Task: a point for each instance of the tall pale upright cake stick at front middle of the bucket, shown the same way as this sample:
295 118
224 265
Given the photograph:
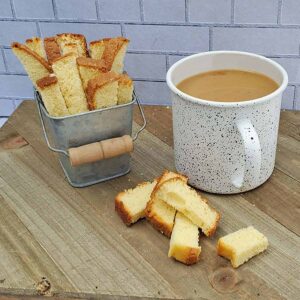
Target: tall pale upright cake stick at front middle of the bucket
66 71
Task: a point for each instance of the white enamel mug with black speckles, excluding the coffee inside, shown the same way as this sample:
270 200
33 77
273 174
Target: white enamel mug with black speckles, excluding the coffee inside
229 147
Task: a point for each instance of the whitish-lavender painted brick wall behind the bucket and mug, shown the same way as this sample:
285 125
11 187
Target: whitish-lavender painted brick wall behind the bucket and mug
161 32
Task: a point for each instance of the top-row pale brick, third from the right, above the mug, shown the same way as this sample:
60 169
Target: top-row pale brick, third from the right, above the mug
212 11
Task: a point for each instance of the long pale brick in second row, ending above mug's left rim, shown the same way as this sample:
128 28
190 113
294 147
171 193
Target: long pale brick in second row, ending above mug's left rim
167 38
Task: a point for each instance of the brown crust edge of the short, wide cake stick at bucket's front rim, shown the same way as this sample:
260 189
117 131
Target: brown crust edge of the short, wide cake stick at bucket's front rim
98 82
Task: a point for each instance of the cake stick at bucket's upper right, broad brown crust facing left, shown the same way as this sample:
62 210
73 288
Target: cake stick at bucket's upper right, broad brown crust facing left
114 53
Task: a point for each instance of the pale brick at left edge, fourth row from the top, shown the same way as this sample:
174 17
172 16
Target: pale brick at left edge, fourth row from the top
17 86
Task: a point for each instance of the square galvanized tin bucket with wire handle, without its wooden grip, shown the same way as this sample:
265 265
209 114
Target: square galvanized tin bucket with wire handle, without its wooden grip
63 133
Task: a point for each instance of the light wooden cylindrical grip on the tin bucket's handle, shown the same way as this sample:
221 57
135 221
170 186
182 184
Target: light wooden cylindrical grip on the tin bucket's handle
100 150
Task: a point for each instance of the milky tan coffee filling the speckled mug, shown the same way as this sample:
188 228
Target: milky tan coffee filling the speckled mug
228 85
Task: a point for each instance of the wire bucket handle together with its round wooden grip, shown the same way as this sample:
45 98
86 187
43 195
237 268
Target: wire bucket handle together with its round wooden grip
99 150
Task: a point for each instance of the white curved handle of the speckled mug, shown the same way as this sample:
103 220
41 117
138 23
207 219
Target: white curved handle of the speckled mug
251 170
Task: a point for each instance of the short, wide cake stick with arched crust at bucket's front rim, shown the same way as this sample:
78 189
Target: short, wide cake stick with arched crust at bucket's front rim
102 91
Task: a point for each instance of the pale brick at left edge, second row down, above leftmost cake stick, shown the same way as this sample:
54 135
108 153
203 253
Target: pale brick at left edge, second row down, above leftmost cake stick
16 31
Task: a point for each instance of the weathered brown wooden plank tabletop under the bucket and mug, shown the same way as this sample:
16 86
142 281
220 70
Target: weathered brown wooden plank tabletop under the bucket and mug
61 241
